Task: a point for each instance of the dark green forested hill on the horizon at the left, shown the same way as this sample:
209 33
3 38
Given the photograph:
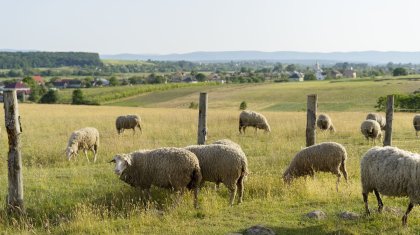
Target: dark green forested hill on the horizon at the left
18 60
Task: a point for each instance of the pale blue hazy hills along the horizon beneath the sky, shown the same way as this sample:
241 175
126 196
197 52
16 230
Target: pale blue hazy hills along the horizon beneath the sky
372 57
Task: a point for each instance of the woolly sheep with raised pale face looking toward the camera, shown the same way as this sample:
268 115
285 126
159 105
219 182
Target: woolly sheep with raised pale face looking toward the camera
171 168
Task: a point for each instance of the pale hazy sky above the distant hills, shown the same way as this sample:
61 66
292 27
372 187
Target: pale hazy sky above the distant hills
179 26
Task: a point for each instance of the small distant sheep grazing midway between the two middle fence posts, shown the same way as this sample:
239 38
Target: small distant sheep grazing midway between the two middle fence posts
254 119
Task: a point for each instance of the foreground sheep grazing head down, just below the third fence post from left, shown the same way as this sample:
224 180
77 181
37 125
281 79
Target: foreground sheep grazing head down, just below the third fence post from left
325 157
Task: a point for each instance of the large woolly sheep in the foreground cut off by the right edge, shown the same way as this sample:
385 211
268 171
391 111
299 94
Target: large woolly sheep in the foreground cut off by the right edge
392 172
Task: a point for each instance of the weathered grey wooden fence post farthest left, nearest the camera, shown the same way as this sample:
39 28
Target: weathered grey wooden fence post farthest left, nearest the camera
14 200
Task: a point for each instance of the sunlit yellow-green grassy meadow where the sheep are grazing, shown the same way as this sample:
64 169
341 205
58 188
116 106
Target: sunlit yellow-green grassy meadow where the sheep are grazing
78 197
